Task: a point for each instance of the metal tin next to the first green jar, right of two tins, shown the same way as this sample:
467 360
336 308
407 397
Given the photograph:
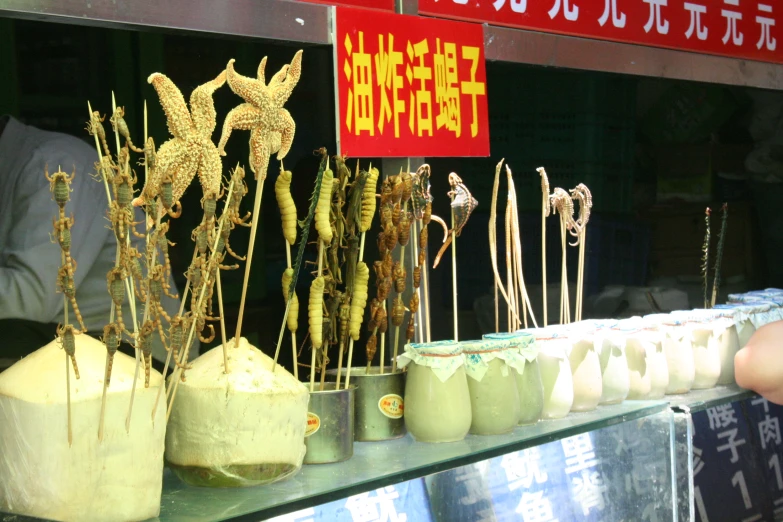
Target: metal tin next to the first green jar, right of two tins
378 404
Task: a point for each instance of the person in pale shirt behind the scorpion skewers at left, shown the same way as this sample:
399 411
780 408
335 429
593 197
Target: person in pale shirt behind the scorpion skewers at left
29 306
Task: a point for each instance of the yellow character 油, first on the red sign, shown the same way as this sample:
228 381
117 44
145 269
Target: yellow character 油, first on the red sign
358 71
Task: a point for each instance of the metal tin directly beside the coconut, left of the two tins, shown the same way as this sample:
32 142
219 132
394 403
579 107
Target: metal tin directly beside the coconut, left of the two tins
330 425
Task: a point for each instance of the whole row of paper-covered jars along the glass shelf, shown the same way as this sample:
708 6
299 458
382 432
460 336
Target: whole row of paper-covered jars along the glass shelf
490 386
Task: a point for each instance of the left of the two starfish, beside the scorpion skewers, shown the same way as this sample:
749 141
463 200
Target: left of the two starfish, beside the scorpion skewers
191 149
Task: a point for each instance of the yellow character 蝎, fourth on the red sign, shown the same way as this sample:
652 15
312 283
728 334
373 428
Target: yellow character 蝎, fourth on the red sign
447 88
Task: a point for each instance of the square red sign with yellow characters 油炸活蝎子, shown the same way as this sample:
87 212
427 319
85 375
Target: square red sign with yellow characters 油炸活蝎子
409 86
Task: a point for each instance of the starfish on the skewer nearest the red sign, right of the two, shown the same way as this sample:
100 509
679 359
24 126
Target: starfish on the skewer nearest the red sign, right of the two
271 126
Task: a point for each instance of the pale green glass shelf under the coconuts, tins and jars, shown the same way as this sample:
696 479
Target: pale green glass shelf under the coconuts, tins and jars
376 465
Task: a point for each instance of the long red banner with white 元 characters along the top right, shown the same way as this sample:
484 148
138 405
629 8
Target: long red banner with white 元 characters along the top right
747 29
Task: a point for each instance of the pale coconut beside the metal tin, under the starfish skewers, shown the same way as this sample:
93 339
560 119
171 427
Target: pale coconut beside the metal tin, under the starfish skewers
237 429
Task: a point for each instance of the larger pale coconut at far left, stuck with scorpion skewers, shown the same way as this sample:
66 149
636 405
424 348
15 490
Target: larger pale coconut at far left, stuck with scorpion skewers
118 479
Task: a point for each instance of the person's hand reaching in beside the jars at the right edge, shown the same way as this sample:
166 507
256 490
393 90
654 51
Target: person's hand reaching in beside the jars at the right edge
759 365
